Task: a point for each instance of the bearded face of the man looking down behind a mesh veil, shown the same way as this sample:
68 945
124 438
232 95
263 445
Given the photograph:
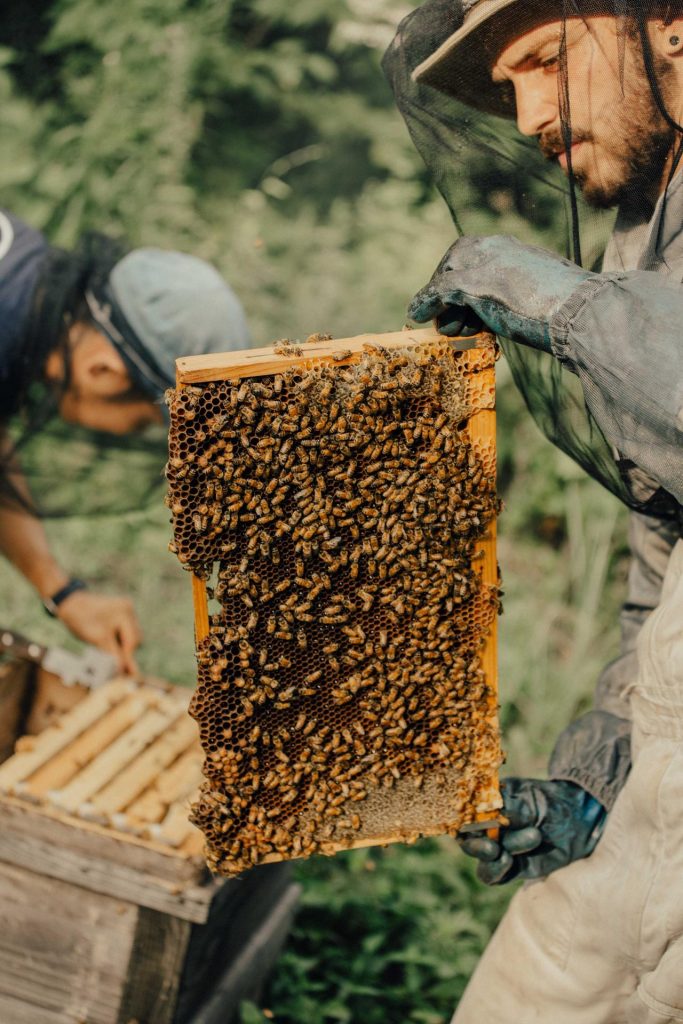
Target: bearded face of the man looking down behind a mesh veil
619 139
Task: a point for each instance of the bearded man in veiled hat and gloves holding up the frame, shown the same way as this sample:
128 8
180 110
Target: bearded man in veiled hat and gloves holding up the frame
579 107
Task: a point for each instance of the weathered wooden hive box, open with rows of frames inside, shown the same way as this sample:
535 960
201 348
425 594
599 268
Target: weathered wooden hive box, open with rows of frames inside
109 914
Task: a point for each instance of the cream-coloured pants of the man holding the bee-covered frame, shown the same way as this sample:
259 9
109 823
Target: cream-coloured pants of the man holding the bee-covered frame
602 941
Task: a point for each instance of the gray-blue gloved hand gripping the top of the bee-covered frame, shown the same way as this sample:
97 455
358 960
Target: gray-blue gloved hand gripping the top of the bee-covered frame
515 290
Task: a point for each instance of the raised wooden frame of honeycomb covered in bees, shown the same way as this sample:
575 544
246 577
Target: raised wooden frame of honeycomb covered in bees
336 504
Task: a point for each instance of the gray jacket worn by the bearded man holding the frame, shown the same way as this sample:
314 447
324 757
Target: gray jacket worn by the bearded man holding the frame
622 335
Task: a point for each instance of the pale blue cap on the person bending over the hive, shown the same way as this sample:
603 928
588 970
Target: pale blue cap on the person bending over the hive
159 306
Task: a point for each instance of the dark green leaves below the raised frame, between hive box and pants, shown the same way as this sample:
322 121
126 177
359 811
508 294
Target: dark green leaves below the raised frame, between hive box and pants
383 937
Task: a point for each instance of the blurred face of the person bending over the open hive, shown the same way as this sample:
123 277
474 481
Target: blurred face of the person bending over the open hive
99 392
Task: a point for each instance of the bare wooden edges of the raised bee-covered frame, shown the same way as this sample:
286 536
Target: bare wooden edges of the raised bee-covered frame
194 371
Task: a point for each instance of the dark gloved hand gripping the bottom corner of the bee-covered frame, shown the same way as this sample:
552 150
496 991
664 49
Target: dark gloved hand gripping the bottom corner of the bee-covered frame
552 824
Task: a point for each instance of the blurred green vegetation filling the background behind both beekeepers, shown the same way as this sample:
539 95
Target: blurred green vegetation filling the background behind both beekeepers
262 136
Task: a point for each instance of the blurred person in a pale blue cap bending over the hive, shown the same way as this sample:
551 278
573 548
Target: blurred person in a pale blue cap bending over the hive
93 336
